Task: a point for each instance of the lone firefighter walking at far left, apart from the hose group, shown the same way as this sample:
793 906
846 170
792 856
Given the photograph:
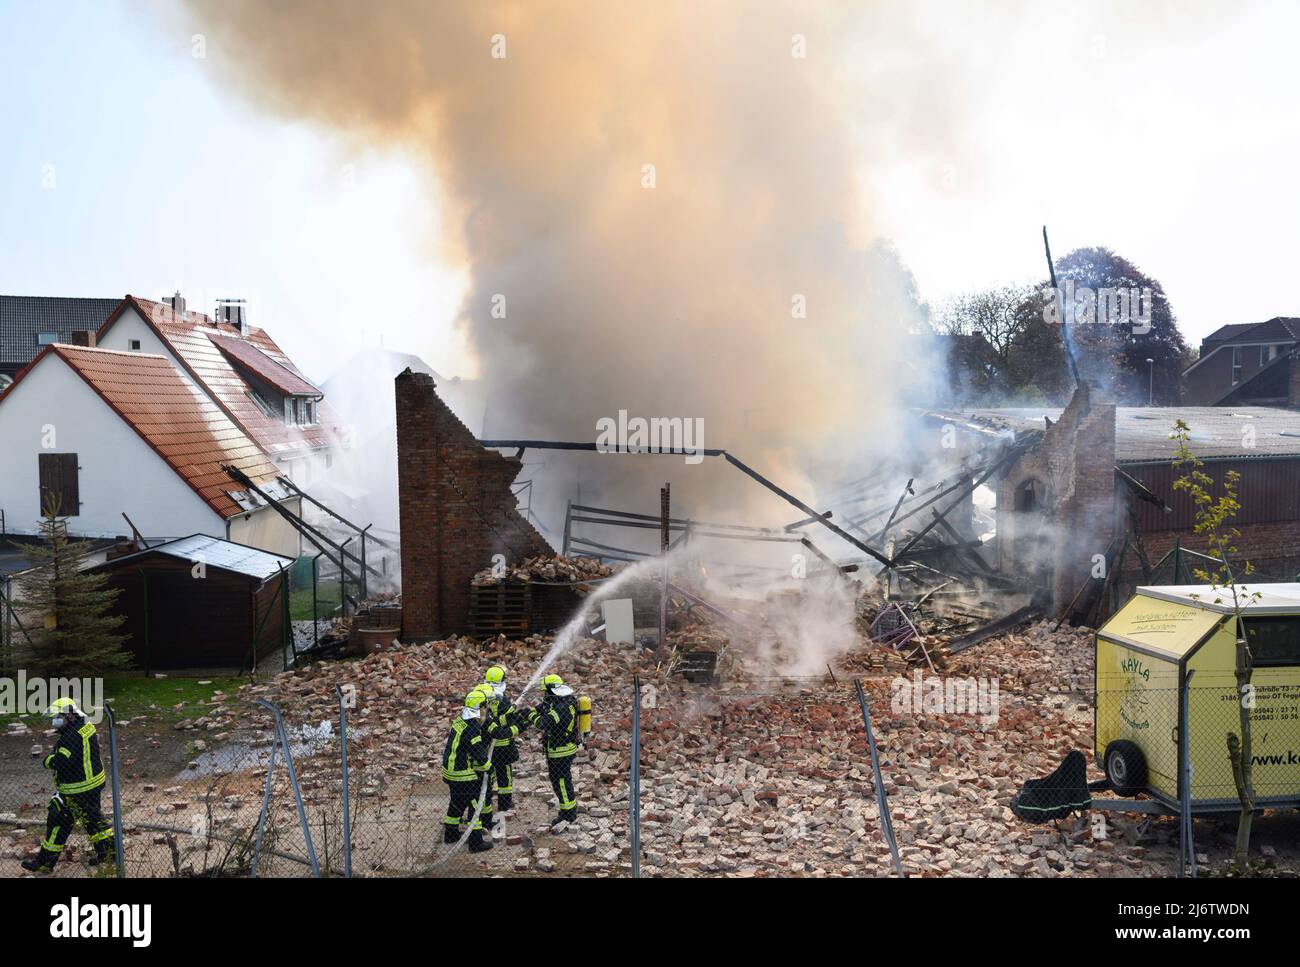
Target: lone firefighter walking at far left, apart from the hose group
79 782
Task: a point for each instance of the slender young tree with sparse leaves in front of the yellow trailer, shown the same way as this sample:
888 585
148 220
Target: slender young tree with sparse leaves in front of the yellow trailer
1214 524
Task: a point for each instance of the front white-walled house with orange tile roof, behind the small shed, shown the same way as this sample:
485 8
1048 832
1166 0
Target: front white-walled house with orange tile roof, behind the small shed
110 433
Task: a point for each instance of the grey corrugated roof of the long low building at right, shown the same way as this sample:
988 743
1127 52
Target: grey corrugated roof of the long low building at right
1142 433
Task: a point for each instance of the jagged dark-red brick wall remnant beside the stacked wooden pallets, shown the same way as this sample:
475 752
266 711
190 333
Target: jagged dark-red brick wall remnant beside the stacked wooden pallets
456 510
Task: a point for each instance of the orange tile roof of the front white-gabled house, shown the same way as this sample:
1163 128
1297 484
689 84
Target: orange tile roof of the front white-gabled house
176 419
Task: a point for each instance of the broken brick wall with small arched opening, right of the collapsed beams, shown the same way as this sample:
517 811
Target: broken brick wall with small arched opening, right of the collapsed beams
1076 463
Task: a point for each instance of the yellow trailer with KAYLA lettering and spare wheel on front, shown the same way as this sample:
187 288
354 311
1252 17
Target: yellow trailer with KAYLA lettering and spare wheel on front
1169 638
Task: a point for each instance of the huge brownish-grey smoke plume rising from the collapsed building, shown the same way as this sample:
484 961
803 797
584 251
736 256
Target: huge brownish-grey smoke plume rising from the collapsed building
743 288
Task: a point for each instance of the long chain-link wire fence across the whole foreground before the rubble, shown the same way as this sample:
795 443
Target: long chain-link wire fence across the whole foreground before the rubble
749 778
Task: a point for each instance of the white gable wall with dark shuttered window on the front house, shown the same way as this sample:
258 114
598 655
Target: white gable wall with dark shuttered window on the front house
118 470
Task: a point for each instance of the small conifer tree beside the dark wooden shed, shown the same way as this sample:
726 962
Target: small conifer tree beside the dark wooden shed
73 631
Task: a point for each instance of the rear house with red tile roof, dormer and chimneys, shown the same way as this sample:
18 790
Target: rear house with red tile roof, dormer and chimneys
241 370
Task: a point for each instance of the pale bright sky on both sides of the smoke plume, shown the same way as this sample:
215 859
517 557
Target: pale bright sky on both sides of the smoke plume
1172 141
